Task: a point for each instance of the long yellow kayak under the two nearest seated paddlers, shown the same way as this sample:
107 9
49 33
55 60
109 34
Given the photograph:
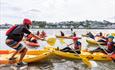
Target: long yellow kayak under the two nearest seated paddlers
95 56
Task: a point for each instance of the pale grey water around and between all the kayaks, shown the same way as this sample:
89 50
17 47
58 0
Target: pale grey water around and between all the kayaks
63 64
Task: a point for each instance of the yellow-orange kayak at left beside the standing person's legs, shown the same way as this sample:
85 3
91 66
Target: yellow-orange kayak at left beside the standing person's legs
31 56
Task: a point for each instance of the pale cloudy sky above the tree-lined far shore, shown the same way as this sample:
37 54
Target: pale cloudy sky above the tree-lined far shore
14 11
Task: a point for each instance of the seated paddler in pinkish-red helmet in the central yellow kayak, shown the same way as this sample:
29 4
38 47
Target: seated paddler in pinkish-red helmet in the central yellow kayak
77 46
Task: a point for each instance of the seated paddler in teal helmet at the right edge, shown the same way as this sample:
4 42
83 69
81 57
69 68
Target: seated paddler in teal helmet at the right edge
110 46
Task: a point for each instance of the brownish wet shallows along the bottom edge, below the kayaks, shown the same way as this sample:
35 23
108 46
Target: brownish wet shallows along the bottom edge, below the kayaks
63 64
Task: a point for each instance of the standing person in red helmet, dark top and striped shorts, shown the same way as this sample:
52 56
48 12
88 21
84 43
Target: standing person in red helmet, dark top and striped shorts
14 37
